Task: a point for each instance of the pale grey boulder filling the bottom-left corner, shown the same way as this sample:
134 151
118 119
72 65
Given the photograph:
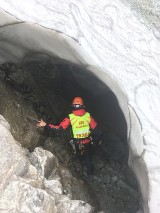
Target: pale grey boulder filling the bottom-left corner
21 197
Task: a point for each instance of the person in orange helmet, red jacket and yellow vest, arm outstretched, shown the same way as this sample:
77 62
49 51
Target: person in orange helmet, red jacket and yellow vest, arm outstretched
84 133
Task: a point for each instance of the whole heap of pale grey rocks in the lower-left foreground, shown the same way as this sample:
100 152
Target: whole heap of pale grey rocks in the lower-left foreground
21 183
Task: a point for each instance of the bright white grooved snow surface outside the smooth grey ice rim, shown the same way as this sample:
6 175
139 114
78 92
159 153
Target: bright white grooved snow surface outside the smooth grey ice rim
120 43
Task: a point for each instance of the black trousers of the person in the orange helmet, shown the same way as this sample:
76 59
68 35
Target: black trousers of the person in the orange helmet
85 155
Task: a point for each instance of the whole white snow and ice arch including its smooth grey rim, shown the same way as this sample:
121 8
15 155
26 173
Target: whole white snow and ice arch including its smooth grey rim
107 38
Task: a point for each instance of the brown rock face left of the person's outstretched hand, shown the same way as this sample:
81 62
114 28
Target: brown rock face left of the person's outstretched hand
16 112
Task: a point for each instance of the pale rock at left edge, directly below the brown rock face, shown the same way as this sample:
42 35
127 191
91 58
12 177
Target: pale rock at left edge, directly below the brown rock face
12 158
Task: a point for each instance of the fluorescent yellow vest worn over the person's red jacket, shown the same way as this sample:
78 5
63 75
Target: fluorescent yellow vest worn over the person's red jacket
80 125
